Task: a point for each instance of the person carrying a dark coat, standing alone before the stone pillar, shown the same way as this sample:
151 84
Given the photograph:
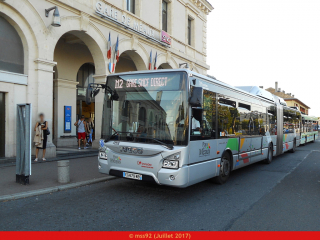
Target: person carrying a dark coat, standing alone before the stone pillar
41 136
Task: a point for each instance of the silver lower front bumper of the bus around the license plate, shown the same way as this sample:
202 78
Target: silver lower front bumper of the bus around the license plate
170 177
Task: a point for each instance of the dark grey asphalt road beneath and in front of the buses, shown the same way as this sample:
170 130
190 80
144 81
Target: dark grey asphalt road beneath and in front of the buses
281 196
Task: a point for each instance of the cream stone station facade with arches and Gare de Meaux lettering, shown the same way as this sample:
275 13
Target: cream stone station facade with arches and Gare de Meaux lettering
50 66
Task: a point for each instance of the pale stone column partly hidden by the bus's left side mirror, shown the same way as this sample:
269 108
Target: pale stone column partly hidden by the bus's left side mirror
98 110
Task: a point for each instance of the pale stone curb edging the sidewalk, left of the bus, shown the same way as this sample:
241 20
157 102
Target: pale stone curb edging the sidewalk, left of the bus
52 189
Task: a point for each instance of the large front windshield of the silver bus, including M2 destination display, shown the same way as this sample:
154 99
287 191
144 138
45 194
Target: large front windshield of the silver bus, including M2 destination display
149 108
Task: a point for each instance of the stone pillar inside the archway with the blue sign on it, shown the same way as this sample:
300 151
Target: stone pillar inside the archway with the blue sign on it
65 94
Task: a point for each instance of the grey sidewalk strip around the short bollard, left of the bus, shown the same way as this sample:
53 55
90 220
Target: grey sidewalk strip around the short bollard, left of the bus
44 178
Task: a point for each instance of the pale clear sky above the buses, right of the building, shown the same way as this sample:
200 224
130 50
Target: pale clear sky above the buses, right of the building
259 42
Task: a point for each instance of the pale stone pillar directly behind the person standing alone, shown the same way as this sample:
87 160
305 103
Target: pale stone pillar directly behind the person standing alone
44 71
